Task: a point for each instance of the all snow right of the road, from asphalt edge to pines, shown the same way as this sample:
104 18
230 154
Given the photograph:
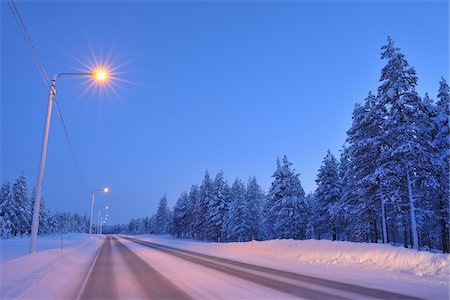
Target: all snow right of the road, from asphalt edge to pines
396 269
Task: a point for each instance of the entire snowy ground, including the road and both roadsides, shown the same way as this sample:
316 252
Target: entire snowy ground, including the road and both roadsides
148 266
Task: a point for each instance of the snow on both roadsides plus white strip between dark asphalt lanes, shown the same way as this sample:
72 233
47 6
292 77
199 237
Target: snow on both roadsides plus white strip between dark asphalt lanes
53 274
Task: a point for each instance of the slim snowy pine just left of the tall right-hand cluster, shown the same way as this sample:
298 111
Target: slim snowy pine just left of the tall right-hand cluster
328 193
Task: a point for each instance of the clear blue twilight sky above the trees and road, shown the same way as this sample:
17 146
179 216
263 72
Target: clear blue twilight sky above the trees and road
202 85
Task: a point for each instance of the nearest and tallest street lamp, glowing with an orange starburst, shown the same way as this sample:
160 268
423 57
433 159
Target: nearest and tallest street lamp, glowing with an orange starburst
99 75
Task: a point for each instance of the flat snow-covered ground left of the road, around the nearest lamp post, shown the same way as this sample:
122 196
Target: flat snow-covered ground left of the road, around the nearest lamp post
49 273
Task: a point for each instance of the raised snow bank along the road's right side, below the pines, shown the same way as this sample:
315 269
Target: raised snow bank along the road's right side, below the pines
348 254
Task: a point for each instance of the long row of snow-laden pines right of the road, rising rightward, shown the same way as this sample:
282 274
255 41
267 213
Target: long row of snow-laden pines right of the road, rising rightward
390 184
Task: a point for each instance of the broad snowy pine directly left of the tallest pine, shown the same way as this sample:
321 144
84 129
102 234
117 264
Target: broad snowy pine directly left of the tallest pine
362 196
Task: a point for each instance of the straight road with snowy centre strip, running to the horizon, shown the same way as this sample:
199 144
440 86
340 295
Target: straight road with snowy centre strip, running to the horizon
162 272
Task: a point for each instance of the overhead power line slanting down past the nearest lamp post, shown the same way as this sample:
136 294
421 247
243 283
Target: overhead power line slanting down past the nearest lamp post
45 78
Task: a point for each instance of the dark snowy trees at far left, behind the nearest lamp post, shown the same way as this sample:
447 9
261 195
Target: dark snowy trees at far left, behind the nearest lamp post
16 211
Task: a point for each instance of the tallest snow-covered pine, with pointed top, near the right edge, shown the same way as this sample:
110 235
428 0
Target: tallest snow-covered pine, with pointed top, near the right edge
407 133
